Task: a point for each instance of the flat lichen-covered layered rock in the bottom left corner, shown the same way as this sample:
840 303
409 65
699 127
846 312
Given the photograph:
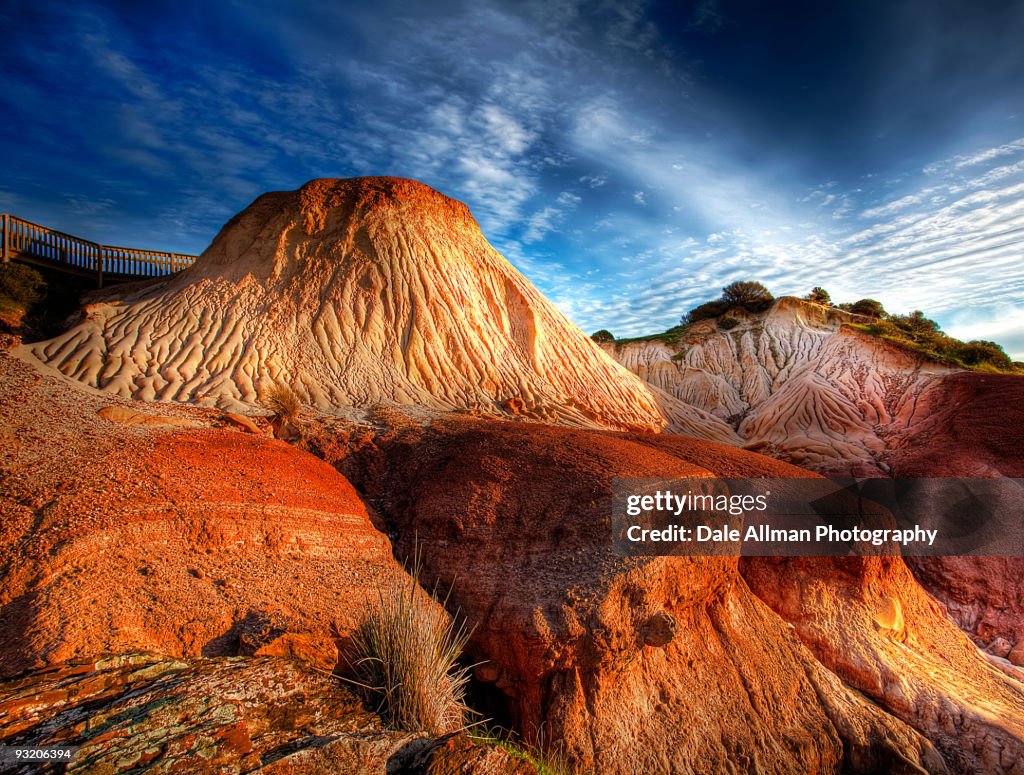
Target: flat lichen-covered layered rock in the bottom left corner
137 712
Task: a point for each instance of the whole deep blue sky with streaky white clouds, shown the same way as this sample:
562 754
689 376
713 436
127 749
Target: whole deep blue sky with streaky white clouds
630 158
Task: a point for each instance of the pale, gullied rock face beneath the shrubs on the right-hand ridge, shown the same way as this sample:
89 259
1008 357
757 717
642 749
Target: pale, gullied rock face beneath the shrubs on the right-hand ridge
795 382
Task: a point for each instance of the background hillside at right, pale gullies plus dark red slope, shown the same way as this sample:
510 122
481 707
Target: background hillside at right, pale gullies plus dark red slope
803 389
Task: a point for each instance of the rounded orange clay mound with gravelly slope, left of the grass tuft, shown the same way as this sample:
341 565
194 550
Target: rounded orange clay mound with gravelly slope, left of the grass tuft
184 542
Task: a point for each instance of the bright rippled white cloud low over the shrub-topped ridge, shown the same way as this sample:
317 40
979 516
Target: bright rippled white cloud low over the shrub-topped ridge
953 249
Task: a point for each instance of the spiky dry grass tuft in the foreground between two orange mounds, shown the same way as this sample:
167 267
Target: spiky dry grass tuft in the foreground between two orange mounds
405 656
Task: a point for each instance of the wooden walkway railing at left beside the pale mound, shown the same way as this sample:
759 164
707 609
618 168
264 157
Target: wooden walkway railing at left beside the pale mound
31 243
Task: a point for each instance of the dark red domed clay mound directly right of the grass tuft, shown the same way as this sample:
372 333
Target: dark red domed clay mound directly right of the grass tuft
626 666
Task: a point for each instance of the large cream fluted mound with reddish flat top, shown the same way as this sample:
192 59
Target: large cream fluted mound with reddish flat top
357 293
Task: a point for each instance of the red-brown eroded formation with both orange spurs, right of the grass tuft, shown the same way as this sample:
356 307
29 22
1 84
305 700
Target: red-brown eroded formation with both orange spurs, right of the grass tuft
672 664
